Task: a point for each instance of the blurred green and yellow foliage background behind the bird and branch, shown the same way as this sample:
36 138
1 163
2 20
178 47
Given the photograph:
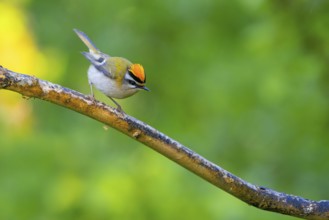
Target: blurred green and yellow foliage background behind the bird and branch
243 82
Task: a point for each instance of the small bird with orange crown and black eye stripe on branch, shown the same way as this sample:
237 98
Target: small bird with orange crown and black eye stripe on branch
116 77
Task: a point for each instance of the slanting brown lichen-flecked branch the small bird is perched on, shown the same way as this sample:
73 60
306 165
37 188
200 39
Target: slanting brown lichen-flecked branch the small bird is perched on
260 197
